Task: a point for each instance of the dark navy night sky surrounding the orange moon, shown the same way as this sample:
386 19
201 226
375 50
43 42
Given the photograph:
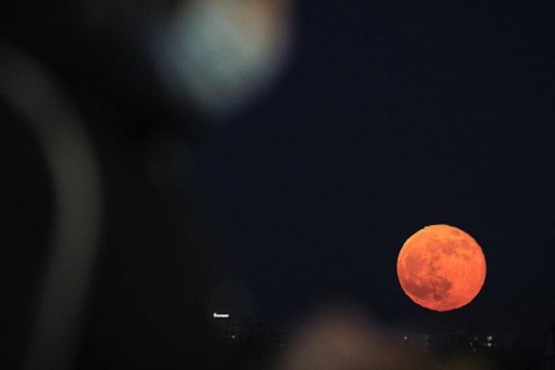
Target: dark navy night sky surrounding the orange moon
393 115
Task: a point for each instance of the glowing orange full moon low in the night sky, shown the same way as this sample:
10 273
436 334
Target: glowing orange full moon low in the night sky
441 268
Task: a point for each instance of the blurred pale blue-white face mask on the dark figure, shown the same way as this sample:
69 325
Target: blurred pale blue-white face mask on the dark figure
221 53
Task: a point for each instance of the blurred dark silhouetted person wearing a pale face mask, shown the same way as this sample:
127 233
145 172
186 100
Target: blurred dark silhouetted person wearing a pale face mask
102 264
